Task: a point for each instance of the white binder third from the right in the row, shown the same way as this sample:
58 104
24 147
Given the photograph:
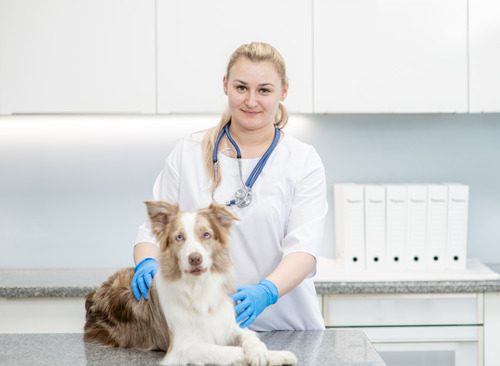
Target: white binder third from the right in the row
417 227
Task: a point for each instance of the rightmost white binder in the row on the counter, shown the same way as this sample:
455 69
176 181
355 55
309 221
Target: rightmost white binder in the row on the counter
458 203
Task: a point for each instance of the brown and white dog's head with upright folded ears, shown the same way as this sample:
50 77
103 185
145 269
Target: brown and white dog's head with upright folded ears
191 243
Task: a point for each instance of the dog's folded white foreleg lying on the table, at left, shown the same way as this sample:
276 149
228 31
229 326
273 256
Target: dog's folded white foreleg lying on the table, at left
205 353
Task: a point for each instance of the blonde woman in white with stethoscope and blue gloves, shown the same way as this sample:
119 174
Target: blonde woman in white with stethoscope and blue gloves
280 196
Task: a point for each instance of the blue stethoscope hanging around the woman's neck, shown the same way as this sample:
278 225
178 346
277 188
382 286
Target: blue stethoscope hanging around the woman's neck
243 196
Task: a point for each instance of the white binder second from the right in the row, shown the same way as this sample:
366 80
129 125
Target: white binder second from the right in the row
437 226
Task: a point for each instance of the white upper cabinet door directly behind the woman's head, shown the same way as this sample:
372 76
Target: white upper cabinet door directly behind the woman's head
196 39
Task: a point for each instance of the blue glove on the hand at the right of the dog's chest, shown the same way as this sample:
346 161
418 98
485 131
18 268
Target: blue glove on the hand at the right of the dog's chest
252 300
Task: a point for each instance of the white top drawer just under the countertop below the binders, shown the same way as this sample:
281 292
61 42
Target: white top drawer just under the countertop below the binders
402 309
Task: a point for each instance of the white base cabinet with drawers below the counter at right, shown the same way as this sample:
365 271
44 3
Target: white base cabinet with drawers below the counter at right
415 329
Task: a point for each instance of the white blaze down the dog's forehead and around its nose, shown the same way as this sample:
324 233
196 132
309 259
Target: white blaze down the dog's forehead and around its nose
192 243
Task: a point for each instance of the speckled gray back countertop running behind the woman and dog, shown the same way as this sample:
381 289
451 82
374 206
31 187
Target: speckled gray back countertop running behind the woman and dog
22 283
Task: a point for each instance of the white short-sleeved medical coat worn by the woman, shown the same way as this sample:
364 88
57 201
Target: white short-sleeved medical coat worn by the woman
286 215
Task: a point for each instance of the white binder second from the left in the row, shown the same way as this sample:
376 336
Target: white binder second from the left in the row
375 227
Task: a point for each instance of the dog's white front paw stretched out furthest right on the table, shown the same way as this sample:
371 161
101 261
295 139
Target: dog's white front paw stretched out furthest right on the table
257 354
